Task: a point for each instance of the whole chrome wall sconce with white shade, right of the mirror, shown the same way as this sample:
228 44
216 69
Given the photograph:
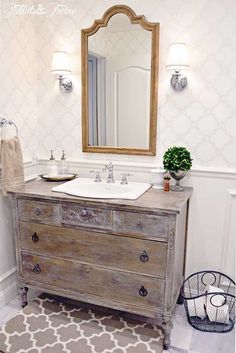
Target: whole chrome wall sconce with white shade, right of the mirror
178 60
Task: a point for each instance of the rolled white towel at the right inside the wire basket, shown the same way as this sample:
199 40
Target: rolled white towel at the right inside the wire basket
216 310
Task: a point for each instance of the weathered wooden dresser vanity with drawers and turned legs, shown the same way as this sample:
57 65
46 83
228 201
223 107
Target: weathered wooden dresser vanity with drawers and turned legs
127 255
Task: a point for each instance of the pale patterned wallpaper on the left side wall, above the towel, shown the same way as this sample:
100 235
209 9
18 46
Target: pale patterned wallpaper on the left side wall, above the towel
18 72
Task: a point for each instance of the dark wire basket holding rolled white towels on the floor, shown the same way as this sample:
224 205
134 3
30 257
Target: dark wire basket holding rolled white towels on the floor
209 301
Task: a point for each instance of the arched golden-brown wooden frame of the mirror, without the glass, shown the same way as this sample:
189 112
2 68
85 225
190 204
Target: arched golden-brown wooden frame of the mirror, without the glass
85 34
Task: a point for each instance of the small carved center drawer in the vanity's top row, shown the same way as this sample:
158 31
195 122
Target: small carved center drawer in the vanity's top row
83 215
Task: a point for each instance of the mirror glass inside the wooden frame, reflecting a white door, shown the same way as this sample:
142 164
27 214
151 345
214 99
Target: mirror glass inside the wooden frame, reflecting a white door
119 66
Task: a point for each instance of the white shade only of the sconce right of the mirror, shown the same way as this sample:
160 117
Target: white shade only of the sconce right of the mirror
177 57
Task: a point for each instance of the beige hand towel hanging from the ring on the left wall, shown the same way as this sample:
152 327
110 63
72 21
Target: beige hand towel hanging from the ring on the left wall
12 164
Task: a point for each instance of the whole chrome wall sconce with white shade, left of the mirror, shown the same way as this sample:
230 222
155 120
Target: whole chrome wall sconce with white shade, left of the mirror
60 67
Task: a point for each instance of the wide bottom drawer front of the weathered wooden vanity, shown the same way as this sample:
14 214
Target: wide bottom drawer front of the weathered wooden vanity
129 288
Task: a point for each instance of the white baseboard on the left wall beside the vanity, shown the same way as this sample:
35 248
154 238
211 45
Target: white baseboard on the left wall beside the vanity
8 287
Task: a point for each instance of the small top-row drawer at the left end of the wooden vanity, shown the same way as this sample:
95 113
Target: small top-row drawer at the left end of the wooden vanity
41 211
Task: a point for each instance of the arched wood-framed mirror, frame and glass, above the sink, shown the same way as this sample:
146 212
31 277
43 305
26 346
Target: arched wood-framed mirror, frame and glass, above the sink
120 57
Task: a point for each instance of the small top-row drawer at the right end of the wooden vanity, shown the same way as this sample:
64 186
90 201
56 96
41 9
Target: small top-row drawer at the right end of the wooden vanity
138 223
